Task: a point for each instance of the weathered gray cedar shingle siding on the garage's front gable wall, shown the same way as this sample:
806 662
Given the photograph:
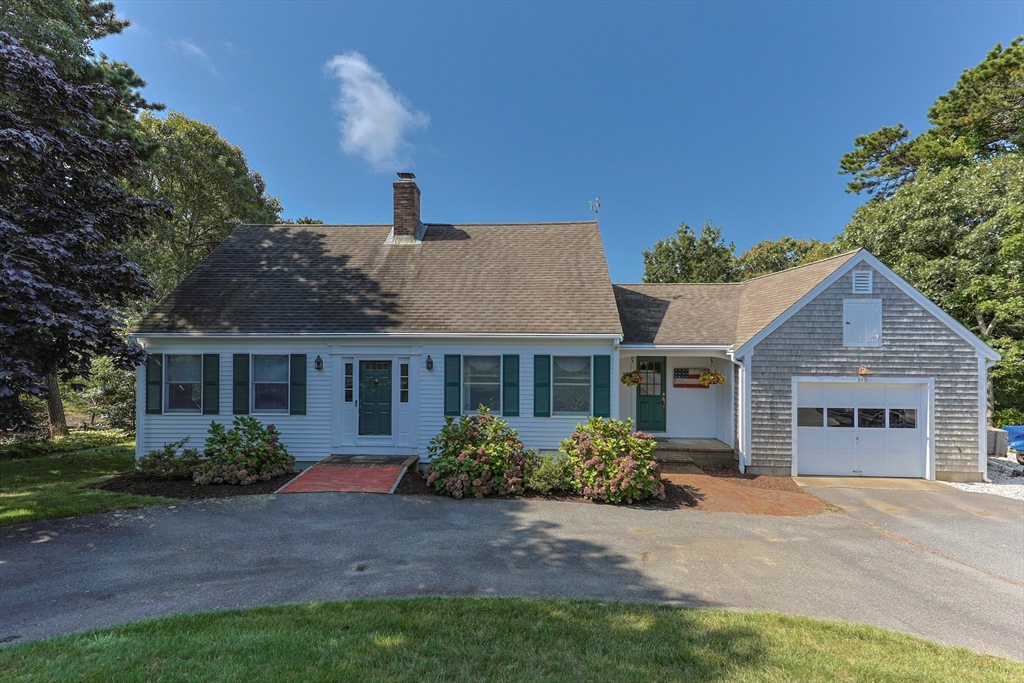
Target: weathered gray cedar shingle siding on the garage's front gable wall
915 345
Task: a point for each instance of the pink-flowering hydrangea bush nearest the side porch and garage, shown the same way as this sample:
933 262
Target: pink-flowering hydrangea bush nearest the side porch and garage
613 464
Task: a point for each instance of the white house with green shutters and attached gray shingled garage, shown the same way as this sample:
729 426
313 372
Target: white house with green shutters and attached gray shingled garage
361 339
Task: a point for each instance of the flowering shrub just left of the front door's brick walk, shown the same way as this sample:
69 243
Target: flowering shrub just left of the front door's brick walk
246 454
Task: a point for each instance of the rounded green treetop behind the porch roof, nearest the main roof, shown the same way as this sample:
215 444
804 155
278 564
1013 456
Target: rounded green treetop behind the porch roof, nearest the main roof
687 258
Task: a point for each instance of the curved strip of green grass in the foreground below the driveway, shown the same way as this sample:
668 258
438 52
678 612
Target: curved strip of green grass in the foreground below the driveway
507 639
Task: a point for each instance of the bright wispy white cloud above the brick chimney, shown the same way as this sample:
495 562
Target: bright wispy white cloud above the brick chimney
375 118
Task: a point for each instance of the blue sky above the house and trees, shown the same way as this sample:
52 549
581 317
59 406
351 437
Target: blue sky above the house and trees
525 112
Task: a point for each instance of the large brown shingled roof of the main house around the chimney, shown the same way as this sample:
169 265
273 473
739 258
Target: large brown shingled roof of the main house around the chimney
509 279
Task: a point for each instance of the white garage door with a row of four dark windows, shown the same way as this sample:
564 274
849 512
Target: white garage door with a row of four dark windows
862 430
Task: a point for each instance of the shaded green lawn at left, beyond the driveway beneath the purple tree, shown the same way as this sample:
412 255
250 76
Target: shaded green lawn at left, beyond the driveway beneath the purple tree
52 487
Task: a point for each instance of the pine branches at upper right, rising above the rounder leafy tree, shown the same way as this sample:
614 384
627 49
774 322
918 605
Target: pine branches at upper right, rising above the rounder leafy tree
983 117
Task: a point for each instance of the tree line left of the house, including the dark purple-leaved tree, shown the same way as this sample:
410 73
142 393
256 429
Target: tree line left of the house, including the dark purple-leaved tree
105 206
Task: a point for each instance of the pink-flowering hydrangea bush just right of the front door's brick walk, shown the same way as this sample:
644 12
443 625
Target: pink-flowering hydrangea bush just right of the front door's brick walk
477 456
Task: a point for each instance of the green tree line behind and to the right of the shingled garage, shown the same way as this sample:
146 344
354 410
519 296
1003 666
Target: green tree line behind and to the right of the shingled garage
946 211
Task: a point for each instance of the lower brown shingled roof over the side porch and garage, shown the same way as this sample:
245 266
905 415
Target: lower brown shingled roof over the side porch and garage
715 315
